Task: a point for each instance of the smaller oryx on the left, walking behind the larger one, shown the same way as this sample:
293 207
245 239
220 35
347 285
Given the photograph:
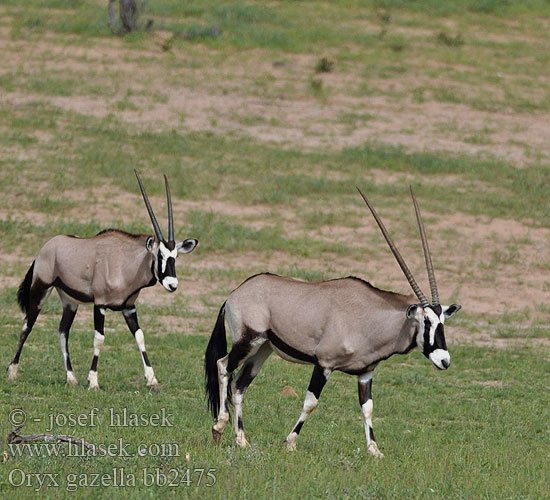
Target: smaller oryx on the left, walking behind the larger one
108 270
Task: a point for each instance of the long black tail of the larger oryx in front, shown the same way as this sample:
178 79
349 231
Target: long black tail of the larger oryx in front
217 349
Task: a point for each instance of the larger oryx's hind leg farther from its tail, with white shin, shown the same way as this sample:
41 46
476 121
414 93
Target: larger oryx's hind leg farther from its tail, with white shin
244 378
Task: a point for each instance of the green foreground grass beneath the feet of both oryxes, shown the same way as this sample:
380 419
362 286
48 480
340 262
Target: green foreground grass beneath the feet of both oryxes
498 425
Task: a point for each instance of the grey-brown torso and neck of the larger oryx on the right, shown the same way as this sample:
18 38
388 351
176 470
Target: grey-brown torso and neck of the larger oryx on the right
344 324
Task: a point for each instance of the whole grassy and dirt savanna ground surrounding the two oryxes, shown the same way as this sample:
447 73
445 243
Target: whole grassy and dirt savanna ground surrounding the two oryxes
263 142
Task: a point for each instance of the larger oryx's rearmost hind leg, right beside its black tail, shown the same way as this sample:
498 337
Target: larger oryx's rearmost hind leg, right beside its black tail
241 350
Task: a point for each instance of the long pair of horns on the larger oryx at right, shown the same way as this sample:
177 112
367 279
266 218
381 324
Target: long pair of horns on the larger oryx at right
401 261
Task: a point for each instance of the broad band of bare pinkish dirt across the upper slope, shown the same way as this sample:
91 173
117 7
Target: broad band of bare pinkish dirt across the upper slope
267 99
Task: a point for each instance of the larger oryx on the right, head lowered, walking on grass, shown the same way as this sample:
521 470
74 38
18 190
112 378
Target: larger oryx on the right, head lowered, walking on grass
343 324
